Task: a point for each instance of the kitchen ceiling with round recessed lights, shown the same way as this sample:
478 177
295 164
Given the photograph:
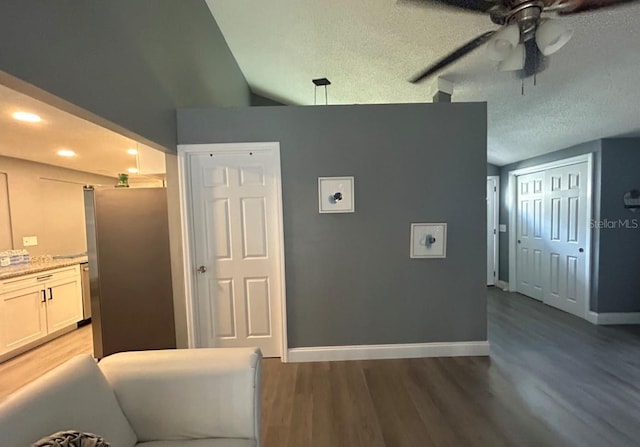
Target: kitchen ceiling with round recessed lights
99 150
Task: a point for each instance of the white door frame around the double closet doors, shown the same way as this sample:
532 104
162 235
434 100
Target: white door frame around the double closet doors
512 194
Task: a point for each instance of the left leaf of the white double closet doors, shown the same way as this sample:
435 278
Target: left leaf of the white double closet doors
530 240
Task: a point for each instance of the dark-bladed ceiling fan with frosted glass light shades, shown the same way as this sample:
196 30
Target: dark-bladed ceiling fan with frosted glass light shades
529 32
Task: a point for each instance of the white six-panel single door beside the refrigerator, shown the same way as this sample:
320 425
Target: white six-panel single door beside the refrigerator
237 228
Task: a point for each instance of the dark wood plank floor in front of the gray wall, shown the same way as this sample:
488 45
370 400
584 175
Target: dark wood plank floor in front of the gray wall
551 380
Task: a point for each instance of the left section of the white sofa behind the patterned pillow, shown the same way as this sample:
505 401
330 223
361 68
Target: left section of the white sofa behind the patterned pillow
74 396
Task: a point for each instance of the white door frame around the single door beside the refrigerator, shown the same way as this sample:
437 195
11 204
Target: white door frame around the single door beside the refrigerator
185 152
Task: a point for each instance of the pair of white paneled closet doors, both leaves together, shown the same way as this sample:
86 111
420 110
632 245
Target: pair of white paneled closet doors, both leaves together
552 237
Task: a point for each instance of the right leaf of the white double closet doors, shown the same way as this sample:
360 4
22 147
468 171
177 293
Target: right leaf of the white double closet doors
566 230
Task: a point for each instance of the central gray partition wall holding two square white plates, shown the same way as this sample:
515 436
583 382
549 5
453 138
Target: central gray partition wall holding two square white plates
349 276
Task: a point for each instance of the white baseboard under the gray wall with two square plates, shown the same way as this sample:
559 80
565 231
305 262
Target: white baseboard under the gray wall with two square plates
393 351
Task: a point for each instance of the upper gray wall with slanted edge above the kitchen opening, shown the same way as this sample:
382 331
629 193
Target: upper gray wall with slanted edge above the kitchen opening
130 62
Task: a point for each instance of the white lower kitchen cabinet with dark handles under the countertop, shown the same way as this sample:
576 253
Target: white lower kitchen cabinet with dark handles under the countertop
37 307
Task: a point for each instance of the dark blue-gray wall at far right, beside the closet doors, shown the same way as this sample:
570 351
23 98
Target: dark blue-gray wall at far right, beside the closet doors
619 263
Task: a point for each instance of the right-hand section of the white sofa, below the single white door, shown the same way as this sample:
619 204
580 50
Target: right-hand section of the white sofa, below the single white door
188 393
